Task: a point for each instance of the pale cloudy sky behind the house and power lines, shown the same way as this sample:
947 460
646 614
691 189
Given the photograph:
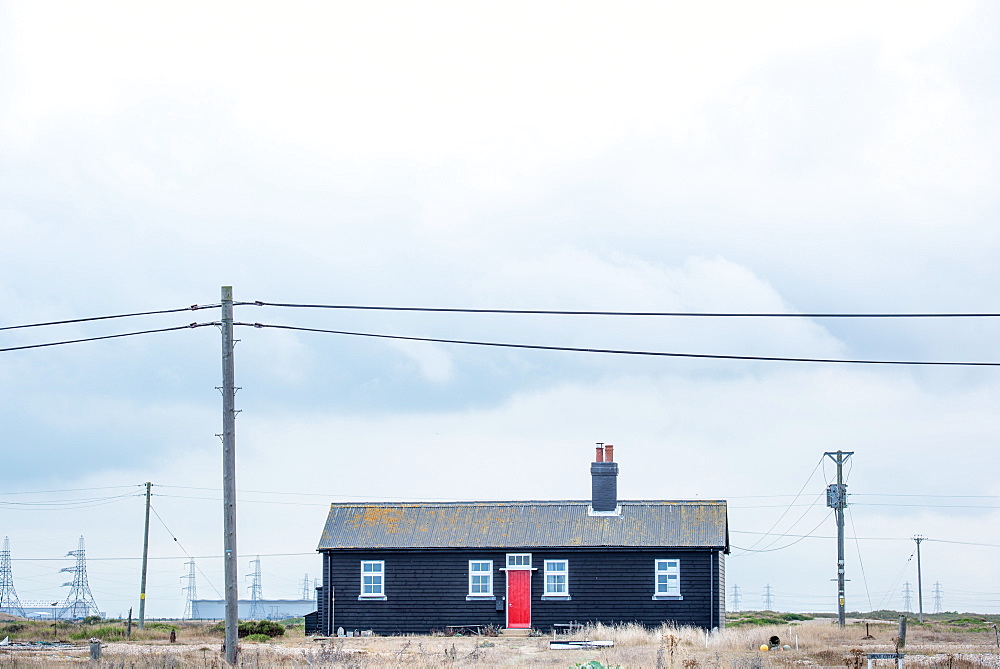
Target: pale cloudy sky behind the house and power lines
653 156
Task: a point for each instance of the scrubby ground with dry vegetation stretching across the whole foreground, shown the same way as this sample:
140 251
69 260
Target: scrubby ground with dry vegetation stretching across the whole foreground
946 641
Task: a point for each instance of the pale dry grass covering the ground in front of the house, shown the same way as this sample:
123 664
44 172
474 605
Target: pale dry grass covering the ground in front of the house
820 643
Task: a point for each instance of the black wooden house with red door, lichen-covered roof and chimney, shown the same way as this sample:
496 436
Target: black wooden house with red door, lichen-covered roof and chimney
397 567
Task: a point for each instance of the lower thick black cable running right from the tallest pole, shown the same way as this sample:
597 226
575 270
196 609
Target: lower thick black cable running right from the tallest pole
539 347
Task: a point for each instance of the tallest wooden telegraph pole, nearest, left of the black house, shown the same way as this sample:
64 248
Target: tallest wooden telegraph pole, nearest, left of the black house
229 475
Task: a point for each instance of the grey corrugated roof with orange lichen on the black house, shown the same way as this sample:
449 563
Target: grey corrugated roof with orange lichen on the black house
683 524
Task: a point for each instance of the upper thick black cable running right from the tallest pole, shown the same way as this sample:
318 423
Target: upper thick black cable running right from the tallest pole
563 312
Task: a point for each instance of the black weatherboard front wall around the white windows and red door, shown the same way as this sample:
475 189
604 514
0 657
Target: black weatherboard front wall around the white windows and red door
427 589
